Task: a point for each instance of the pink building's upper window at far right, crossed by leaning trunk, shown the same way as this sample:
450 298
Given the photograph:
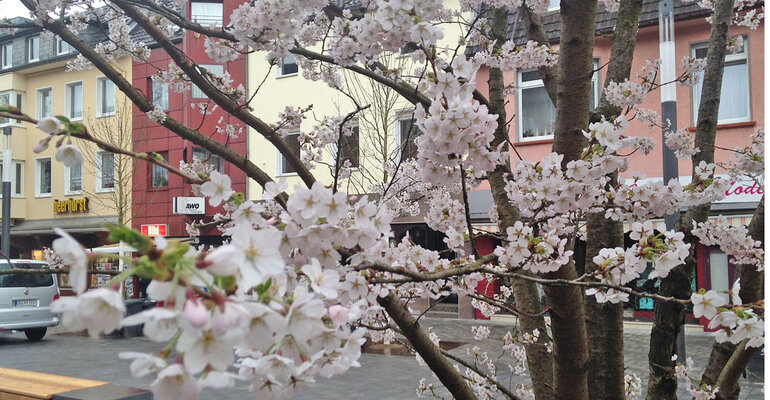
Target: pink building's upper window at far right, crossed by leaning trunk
735 102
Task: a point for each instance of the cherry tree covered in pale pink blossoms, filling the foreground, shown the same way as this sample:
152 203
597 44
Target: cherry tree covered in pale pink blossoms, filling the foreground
304 264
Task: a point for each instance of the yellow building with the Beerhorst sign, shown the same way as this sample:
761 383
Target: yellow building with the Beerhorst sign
45 193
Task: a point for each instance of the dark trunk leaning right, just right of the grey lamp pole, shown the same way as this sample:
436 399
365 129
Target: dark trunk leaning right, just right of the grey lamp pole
669 316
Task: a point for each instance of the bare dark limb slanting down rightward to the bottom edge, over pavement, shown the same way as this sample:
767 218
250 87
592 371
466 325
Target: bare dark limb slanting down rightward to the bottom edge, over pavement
450 377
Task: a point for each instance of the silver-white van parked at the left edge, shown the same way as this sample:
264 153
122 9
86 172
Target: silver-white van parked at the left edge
25 299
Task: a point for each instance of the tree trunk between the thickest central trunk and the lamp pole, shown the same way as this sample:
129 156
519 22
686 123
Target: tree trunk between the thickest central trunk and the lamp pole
604 322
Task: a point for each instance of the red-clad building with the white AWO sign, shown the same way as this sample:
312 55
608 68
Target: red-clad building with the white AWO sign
155 191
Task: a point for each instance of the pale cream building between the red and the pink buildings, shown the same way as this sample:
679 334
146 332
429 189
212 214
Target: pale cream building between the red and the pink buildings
382 130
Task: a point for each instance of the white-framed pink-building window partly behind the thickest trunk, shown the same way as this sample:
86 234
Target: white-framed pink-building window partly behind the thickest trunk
536 113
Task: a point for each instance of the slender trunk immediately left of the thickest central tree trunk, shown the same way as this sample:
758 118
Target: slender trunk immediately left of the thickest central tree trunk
539 360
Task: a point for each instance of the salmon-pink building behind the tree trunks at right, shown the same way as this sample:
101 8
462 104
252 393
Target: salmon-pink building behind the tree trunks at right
741 112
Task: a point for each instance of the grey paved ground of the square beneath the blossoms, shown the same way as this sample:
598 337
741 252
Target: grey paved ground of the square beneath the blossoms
379 377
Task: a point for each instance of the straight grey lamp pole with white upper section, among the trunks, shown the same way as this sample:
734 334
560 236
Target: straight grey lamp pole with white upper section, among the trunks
668 116
